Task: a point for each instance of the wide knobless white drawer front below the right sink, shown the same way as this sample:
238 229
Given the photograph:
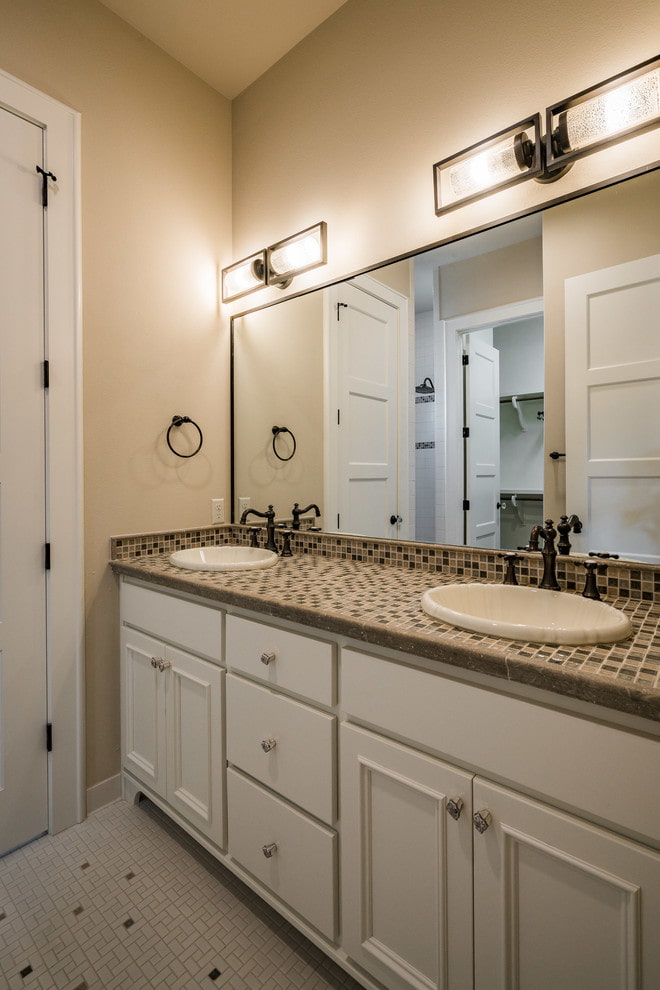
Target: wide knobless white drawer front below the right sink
581 763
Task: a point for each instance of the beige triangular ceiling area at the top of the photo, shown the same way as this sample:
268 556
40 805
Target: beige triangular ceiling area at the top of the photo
227 43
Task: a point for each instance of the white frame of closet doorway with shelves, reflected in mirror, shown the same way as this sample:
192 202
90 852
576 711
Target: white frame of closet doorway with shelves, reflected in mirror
454 329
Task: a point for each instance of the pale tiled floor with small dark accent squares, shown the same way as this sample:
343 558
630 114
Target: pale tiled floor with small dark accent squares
126 900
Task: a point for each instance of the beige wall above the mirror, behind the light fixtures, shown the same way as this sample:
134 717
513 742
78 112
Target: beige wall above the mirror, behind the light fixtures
347 127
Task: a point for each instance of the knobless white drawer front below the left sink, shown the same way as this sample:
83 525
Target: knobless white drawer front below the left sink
197 628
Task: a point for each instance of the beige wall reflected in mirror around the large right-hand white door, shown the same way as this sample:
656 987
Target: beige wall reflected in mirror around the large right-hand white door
607 228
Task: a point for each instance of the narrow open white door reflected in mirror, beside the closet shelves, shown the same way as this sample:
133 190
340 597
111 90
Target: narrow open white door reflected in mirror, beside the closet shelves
482 445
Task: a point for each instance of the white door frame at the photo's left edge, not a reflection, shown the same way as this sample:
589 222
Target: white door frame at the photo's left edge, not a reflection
64 477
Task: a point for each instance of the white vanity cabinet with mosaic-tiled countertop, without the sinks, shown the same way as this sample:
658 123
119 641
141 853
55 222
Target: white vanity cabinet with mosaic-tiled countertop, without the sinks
433 808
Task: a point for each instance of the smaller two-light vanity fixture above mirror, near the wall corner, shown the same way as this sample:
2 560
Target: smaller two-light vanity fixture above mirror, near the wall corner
277 264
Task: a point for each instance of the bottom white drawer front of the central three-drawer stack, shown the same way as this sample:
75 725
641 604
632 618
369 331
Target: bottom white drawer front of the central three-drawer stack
301 868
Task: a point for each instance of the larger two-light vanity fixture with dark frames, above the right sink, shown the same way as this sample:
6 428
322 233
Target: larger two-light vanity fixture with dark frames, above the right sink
623 105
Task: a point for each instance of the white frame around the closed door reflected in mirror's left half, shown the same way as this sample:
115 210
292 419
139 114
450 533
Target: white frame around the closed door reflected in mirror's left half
398 302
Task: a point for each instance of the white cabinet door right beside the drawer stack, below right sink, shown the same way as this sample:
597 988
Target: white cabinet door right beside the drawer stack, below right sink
406 864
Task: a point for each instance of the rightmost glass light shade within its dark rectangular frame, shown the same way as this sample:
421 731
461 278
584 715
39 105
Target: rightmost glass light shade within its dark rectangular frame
608 113
